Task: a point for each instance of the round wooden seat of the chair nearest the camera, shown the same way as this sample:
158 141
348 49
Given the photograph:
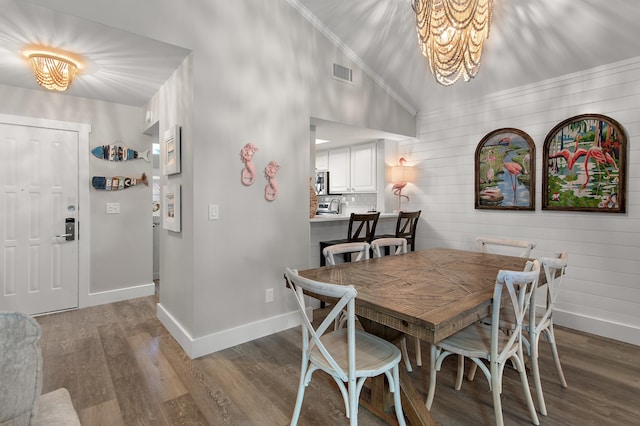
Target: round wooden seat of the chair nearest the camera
373 354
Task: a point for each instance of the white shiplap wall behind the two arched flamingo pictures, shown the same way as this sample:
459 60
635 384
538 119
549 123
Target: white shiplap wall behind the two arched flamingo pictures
601 292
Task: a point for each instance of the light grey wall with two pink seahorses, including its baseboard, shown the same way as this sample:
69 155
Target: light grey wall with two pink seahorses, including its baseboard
259 72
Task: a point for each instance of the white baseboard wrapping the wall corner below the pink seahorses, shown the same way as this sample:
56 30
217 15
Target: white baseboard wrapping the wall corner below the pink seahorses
215 342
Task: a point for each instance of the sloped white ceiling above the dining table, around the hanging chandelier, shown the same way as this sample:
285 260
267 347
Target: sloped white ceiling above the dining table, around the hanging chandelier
529 41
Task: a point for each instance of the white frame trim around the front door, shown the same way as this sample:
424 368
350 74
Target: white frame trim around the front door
83 130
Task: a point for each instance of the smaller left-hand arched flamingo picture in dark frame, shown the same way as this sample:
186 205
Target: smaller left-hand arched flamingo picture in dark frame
505 171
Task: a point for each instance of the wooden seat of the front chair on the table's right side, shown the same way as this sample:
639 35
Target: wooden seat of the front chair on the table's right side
473 341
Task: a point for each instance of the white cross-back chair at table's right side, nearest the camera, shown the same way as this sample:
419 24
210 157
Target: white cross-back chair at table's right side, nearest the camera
487 343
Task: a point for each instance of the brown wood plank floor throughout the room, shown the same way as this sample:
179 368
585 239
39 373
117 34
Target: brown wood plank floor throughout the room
122 367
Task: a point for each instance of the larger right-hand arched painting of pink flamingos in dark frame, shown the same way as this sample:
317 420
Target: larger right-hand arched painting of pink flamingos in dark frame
584 163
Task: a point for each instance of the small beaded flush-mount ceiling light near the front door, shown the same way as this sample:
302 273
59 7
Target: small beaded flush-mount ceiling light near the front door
53 69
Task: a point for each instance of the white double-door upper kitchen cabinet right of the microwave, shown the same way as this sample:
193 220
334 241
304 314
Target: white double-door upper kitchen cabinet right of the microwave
353 169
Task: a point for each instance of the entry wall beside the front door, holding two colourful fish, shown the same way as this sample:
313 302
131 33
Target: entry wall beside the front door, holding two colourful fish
120 247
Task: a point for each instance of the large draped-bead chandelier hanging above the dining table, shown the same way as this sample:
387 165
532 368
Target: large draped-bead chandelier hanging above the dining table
451 34
